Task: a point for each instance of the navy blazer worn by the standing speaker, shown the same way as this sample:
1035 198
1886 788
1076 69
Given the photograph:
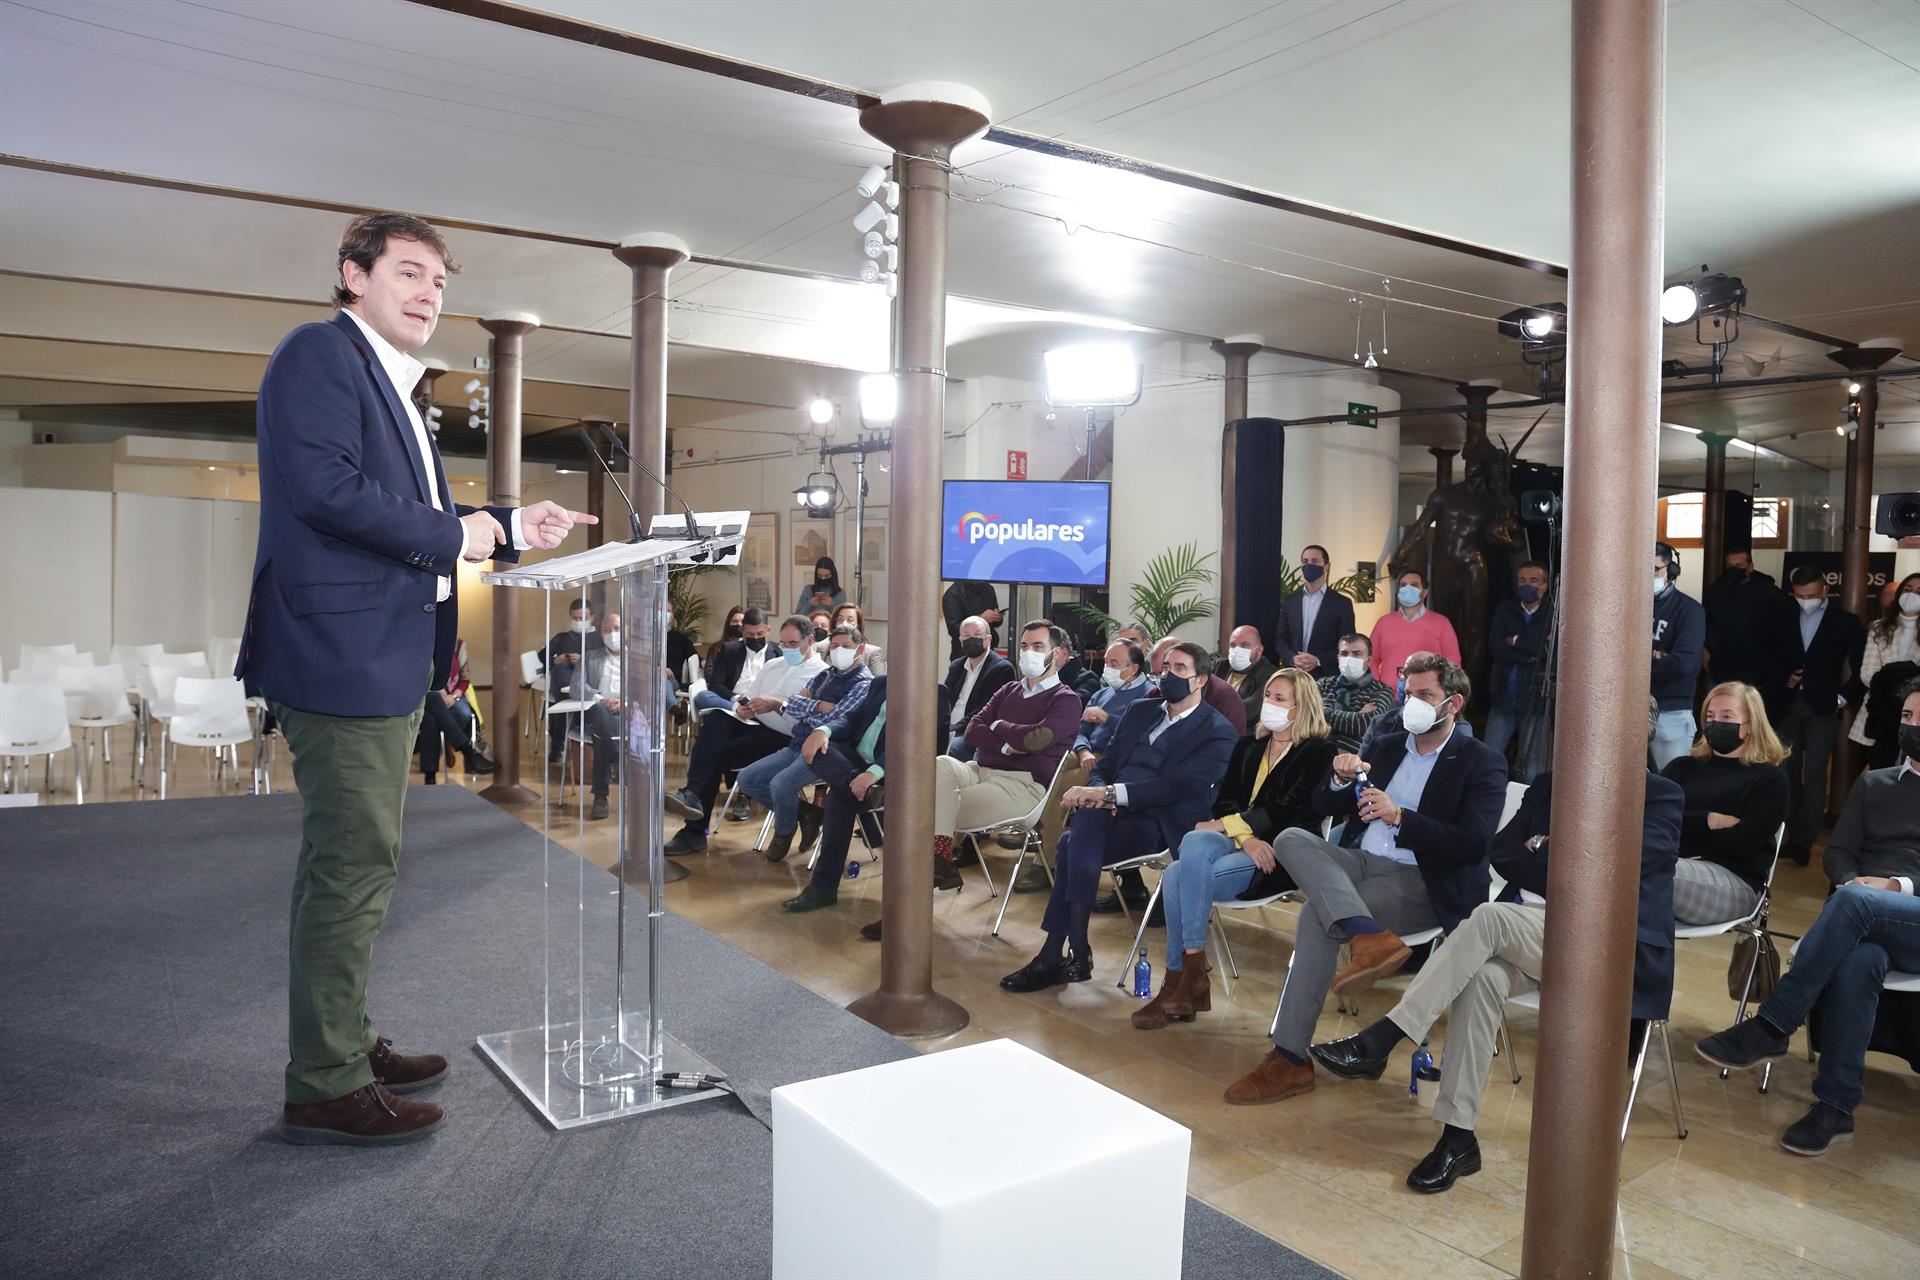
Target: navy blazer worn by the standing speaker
343 617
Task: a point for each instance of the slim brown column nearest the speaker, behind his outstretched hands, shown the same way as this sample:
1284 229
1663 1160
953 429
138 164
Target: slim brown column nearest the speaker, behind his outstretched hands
504 490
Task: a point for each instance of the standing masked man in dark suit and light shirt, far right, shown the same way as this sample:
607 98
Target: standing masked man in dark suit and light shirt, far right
1825 650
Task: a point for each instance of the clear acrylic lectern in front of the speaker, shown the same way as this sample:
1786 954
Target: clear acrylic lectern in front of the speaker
602 1047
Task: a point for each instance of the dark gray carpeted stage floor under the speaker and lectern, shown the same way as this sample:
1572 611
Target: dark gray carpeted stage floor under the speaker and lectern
143 1037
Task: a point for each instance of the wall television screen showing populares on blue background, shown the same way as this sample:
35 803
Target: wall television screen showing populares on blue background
1047 533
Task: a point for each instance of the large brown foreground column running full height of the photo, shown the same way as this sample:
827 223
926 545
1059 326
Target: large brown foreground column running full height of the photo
1614 400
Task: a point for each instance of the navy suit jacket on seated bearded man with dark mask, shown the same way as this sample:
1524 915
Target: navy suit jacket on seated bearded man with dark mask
1174 776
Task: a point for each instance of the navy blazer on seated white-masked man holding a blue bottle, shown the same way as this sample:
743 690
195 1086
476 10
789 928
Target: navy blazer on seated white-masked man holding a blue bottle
1452 830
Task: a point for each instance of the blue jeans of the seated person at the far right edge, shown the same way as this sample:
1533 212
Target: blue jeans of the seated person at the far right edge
1844 959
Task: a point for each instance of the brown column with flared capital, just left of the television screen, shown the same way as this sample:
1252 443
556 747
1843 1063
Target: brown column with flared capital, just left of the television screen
923 124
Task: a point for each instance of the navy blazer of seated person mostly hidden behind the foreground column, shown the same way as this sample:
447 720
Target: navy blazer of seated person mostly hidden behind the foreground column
1660 851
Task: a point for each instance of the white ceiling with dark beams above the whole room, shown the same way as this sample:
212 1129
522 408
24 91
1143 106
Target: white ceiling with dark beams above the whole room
1794 160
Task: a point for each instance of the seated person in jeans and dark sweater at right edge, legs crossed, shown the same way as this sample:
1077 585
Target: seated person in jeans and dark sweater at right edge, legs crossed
1865 930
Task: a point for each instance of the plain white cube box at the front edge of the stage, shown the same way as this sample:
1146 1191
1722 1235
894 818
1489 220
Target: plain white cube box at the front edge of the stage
978 1162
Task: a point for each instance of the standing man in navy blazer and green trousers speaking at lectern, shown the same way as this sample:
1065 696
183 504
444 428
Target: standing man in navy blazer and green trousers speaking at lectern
352 621
